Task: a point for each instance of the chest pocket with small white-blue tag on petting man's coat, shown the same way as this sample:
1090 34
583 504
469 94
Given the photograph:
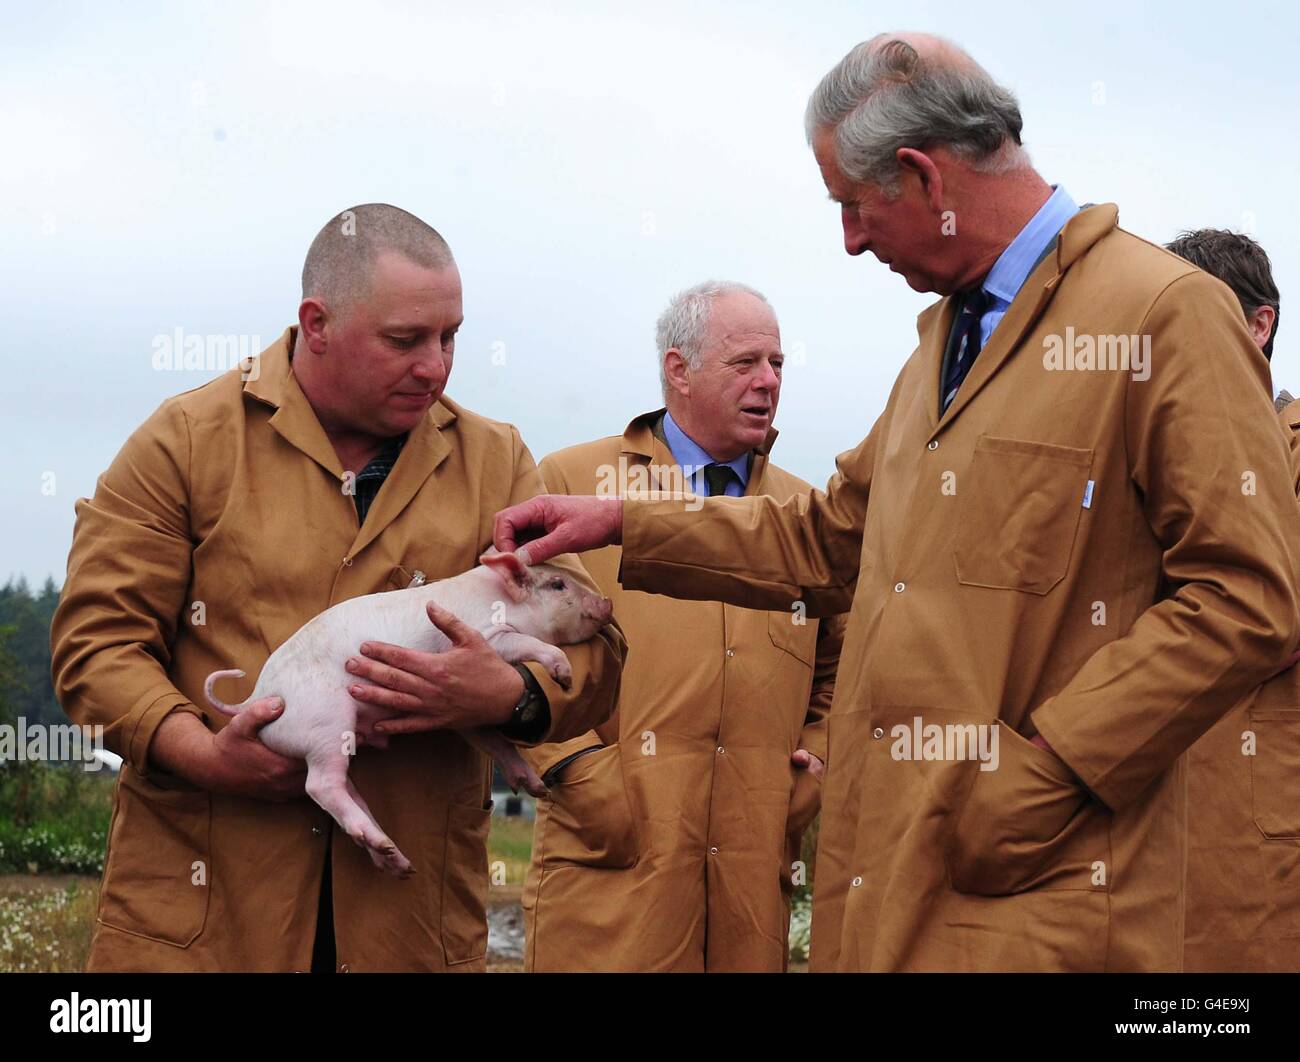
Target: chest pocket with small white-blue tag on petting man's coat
1020 510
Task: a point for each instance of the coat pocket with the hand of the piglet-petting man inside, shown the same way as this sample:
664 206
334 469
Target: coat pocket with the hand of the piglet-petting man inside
1028 825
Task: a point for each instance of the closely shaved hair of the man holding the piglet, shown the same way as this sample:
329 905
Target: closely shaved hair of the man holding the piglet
340 266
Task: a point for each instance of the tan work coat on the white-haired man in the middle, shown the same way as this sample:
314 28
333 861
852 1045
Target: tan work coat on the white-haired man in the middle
674 848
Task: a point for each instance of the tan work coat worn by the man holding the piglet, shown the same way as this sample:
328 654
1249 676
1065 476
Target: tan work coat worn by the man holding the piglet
220 530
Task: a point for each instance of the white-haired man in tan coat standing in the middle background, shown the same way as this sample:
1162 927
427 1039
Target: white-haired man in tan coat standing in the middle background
670 839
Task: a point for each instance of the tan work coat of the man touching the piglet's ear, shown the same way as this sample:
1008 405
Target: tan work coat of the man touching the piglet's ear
1085 554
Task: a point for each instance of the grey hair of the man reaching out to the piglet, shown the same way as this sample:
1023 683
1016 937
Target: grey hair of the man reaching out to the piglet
883 97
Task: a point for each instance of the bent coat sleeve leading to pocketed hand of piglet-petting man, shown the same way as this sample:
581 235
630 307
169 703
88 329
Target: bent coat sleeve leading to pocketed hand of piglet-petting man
1215 479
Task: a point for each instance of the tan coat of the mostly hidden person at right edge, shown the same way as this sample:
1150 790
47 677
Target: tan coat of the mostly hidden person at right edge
1243 833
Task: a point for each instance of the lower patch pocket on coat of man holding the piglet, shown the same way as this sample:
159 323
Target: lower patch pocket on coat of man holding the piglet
159 865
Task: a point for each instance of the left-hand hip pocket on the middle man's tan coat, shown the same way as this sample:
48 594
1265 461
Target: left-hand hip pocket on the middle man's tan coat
588 816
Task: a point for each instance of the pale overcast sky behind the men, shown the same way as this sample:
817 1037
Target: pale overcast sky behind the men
166 167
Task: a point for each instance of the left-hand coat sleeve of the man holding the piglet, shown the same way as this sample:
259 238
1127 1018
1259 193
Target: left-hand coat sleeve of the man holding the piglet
128 575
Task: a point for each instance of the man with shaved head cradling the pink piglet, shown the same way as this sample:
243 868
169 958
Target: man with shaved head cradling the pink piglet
332 467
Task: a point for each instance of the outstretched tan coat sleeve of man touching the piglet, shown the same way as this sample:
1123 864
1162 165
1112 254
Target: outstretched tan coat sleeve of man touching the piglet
756 552
